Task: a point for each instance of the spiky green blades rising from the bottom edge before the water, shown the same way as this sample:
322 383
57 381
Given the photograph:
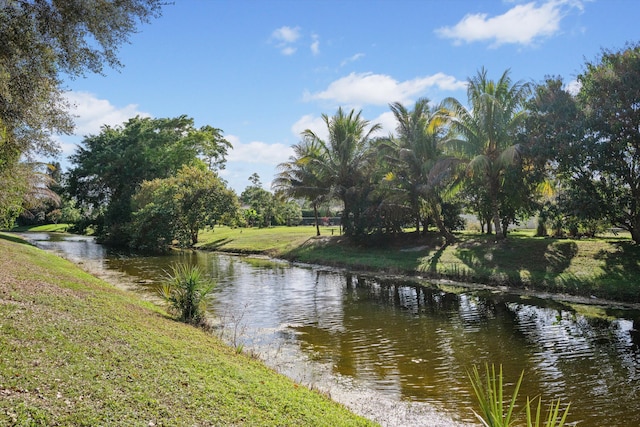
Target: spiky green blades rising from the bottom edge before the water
495 411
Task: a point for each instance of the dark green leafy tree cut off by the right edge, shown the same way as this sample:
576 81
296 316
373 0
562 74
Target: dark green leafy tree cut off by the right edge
610 100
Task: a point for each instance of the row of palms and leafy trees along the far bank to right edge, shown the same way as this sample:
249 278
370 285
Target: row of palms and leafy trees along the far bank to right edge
514 151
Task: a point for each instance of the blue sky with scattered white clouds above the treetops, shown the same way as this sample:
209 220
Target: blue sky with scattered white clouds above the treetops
263 71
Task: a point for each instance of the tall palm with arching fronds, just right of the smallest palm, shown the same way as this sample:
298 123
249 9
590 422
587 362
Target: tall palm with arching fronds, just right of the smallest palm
343 159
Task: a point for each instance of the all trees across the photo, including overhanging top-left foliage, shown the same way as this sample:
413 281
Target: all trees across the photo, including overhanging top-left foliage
513 150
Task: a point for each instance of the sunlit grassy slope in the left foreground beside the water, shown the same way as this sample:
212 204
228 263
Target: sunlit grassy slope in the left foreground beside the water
76 351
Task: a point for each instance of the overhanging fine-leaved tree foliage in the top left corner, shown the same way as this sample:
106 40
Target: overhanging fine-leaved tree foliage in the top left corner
39 41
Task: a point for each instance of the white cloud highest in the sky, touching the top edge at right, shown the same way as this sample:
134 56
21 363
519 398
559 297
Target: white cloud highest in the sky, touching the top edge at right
523 24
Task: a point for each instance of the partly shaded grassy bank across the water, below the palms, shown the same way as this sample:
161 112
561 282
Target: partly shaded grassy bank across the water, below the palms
606 267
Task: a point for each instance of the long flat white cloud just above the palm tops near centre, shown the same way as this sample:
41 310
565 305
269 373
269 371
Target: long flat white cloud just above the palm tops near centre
380 89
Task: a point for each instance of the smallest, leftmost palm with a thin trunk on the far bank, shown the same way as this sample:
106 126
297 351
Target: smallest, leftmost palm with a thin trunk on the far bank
297 177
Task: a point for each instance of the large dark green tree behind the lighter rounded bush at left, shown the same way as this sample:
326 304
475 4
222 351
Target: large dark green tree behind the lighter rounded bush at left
110 166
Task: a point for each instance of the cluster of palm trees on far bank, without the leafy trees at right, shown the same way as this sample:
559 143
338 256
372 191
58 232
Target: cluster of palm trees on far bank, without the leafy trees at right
387 183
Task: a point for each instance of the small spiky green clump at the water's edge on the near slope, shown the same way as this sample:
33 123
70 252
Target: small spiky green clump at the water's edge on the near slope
187 291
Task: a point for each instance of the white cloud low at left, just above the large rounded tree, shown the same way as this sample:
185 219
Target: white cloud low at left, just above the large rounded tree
91 113
